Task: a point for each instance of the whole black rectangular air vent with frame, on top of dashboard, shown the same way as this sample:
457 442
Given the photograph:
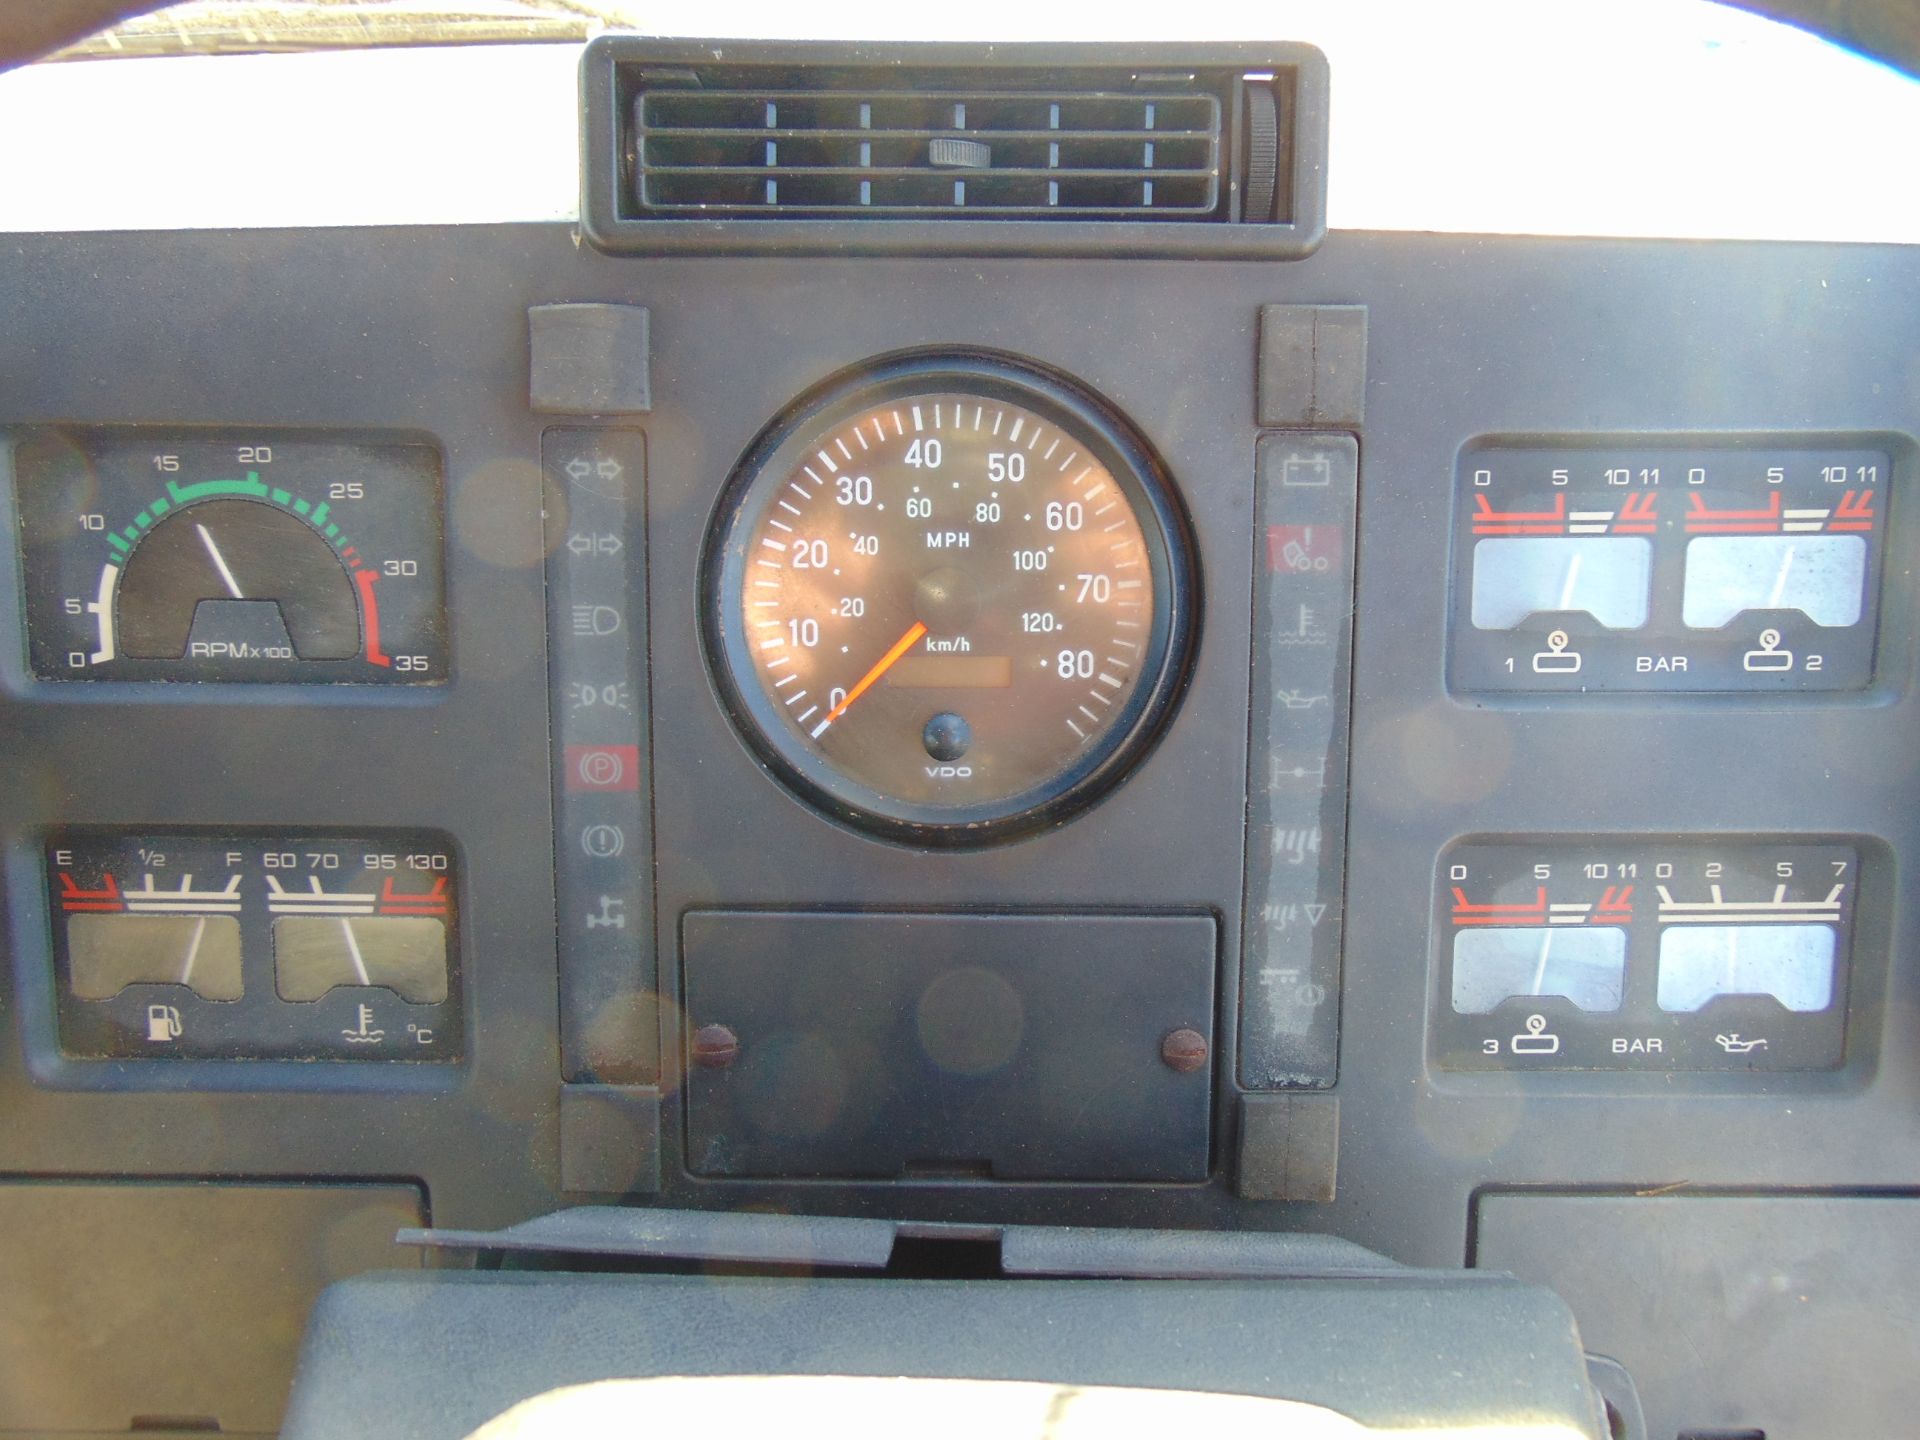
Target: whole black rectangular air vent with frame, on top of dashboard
953 149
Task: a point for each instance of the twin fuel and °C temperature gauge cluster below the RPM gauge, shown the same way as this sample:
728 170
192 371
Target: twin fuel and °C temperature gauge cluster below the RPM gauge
256 948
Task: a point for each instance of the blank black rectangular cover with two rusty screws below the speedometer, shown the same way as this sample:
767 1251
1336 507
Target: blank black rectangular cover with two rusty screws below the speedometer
867 1051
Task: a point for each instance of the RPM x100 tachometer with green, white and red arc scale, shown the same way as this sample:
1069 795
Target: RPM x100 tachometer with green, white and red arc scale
229 556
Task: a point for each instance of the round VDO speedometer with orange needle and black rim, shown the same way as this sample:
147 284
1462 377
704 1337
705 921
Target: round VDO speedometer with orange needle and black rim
948 598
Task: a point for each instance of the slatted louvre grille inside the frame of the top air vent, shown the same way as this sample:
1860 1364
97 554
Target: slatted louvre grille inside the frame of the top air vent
1045 155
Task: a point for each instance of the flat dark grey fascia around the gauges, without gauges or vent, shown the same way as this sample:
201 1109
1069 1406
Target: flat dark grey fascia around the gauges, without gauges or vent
425 333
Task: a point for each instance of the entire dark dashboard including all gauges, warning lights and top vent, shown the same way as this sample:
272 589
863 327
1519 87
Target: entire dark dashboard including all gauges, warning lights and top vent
1174 723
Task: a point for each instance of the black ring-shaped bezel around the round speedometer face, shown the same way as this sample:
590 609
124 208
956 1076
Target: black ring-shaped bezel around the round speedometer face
1170 619
